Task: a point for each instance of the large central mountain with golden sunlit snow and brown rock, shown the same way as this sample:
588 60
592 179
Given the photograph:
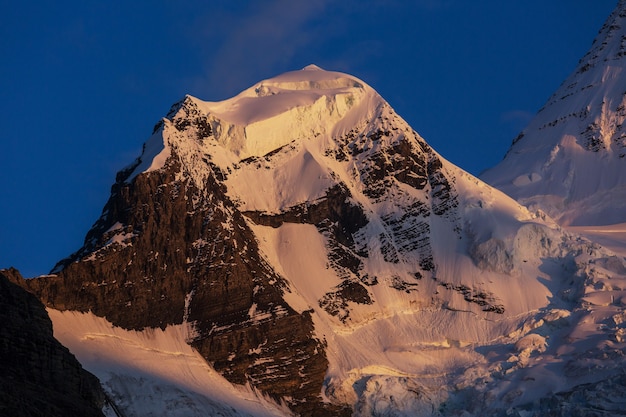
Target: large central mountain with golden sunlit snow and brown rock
315 248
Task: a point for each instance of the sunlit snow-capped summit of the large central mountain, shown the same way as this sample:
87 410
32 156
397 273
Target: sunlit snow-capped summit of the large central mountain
309 104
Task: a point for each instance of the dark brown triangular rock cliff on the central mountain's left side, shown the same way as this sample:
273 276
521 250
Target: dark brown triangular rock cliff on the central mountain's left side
165 252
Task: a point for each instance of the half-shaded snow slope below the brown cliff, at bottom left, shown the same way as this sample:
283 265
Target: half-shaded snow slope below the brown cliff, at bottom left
154 372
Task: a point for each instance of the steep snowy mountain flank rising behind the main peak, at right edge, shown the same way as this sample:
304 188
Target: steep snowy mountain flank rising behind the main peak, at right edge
570 161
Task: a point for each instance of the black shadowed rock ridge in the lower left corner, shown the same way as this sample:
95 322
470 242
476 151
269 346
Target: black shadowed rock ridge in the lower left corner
39 377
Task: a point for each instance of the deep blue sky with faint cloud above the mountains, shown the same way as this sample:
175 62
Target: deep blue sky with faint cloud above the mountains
83 82
